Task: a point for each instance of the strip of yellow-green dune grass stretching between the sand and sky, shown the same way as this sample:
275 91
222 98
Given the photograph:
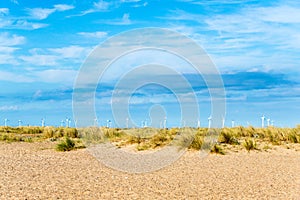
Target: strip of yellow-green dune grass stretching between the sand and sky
215 140
